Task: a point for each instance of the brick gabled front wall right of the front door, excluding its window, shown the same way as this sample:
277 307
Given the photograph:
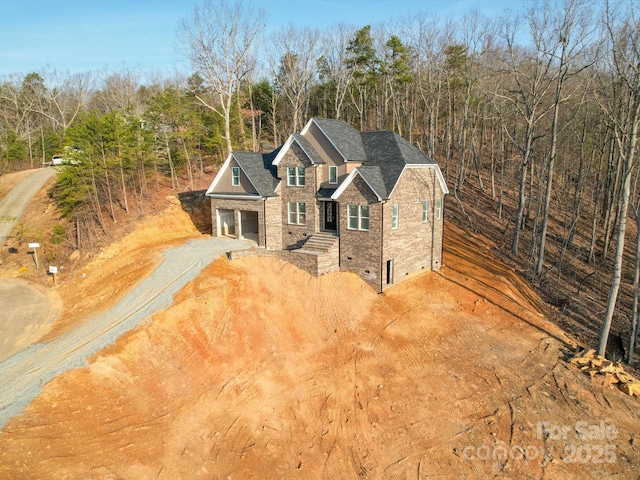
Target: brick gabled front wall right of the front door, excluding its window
360 250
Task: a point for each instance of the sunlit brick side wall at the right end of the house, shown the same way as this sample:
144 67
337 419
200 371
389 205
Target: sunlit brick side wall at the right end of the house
415 245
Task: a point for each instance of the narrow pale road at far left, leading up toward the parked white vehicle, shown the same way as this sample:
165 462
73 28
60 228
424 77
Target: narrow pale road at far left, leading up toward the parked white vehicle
15 203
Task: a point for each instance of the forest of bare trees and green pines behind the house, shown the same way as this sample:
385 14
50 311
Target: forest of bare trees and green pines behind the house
533 117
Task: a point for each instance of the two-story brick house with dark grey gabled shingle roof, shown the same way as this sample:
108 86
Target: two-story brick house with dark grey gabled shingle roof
371 198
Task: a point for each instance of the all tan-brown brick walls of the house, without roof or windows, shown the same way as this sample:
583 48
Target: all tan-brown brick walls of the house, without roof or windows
415 246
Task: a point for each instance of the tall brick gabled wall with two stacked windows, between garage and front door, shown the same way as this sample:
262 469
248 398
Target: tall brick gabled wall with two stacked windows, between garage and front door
293 236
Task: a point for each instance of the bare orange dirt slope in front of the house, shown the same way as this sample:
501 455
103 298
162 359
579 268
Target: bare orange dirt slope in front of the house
260 371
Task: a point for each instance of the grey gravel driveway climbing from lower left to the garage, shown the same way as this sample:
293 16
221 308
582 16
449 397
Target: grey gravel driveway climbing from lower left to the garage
23 375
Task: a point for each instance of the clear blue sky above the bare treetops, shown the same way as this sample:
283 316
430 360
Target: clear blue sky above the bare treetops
92 35
